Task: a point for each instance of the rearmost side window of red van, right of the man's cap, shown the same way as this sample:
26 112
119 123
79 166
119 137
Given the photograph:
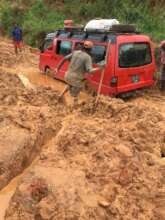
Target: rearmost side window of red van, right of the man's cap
98 53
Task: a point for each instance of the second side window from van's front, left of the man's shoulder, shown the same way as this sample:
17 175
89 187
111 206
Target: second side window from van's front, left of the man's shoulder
64 47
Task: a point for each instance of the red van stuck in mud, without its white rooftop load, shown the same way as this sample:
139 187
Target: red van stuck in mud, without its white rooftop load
130 59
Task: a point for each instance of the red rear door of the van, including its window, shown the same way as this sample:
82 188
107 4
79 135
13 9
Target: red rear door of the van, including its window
135 64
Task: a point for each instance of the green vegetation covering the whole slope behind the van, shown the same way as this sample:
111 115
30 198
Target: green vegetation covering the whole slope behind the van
41 16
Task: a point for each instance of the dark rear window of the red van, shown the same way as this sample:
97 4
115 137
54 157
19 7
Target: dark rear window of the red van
134 55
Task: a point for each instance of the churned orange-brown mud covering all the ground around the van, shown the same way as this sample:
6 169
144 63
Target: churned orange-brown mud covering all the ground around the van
103 163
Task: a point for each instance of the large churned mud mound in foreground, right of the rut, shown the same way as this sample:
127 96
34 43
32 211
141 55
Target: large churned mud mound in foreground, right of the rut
103 164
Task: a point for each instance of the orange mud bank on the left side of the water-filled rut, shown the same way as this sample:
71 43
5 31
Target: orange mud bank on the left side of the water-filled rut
28 119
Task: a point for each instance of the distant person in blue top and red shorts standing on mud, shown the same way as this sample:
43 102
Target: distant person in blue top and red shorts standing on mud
17 38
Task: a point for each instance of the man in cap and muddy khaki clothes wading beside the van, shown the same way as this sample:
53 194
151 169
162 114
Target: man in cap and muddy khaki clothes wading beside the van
81 63
